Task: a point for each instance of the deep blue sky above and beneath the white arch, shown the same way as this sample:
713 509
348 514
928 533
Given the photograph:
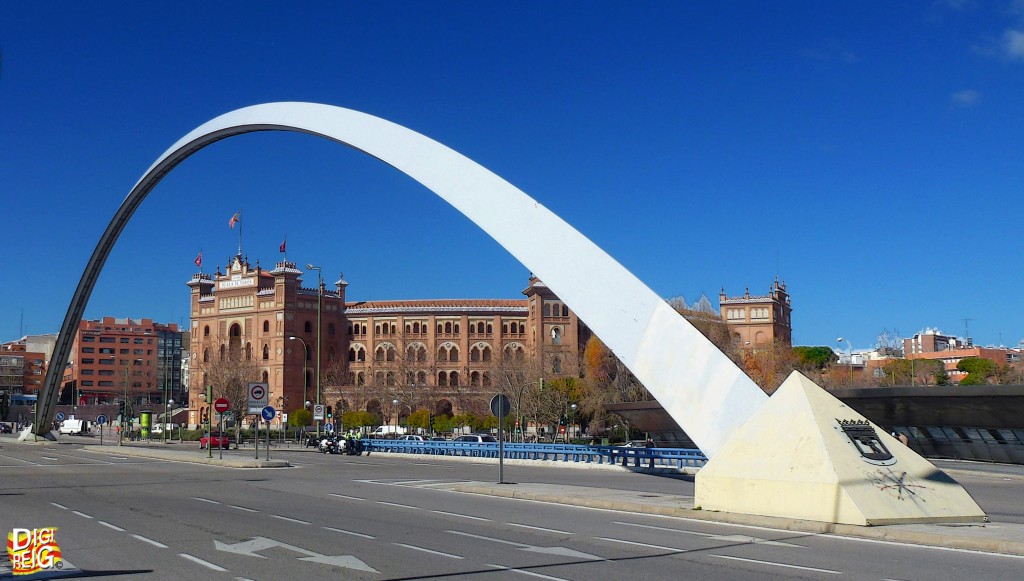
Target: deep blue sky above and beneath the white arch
868 153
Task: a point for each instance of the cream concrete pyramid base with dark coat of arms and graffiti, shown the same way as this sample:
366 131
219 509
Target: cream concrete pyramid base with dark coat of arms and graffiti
806 455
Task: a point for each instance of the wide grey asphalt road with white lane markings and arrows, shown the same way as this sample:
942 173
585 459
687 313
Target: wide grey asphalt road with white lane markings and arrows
389 518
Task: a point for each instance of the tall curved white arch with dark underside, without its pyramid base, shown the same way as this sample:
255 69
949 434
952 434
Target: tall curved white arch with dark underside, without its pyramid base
702 389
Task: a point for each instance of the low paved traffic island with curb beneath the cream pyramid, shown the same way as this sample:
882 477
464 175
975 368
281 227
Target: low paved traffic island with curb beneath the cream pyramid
892 533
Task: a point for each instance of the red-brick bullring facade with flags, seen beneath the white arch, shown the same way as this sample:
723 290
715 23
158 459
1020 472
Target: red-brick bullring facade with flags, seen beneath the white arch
439 355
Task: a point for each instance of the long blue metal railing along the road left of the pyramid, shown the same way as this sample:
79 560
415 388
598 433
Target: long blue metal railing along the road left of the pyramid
636 458
